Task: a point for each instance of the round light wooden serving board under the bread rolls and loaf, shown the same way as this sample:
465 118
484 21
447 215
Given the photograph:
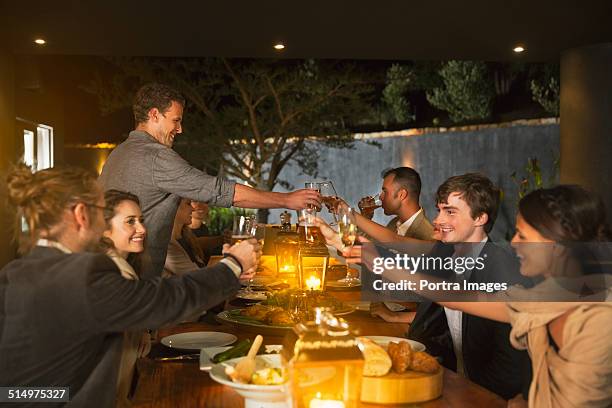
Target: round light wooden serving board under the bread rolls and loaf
409 387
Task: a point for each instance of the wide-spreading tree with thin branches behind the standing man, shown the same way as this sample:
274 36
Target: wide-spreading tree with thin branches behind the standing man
249 118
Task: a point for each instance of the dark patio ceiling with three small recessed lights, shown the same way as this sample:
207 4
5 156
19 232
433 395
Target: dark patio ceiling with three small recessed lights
435 30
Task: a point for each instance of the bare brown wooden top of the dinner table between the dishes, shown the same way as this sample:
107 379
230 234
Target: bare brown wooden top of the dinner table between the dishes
180 383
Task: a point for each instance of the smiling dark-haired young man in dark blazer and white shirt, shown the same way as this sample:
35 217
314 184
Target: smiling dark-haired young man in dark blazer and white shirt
477 348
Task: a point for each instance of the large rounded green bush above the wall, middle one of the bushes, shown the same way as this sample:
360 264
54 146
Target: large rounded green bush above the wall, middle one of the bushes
467 90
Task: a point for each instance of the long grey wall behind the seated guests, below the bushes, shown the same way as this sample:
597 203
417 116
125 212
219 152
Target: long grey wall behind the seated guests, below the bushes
496 152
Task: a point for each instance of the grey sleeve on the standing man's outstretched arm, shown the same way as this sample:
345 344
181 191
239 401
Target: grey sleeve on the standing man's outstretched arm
173 174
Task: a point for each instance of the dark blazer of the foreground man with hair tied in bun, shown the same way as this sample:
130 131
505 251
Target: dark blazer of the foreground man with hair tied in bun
62 318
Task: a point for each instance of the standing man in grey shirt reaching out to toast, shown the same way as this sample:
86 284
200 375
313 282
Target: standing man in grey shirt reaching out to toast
145 165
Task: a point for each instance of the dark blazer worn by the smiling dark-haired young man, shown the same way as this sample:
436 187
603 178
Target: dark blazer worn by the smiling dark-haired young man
488 357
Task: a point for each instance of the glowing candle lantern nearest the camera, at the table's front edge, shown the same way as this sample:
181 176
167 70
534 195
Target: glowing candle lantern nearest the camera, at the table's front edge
324 364
